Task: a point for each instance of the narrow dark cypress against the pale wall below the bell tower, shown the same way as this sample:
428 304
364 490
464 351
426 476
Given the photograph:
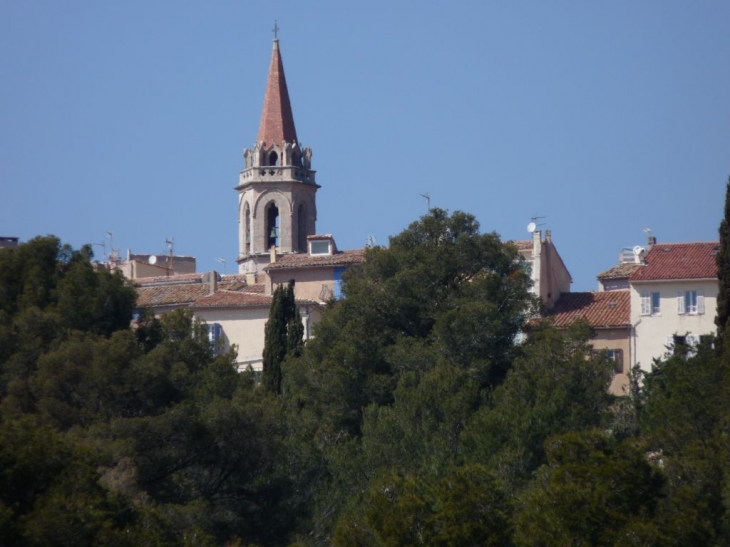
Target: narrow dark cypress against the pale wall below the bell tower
283 334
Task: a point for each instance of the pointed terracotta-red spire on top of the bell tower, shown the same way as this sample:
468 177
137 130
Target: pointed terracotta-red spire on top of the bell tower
277 120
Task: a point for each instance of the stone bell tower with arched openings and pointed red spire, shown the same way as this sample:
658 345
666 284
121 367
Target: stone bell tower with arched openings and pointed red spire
277 205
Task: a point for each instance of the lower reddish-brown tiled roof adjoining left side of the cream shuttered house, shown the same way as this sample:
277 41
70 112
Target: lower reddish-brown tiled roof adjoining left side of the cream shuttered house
600 309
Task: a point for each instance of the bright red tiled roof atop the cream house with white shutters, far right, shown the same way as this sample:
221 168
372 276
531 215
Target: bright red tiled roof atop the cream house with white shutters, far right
678 261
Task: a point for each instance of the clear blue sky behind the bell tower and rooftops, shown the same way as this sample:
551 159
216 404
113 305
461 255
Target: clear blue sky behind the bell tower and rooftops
604 118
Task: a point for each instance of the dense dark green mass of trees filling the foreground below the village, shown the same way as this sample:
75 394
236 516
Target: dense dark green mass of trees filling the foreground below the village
412 418
